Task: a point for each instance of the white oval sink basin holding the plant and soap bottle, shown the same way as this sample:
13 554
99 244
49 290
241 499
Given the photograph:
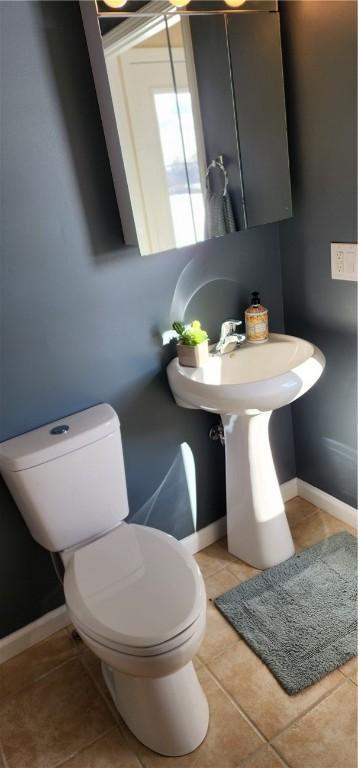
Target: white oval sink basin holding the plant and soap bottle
252 379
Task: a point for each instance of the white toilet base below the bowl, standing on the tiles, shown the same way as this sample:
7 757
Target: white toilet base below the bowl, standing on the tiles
170 714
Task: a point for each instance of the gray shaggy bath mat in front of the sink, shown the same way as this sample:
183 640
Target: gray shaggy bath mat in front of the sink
300 617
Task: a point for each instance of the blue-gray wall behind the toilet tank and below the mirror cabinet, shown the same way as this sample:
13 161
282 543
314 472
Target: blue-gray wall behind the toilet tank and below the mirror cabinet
82 316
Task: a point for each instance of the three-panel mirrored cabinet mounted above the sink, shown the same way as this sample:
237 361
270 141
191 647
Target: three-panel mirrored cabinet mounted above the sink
193 110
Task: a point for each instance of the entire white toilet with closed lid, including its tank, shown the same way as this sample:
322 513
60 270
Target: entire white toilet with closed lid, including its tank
134 594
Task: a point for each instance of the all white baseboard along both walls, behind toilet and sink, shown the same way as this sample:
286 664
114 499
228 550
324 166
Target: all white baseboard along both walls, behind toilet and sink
45 626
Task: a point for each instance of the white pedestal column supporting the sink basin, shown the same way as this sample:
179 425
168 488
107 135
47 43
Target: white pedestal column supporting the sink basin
257 527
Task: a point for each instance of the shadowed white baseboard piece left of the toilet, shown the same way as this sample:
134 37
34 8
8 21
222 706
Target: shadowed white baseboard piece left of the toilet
38 630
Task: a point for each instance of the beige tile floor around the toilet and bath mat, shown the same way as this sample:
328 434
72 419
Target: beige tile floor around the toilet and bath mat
55 710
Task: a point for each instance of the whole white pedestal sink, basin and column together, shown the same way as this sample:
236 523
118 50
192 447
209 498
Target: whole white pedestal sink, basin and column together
245 386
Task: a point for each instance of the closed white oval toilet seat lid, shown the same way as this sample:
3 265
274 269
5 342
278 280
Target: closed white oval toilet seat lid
135 586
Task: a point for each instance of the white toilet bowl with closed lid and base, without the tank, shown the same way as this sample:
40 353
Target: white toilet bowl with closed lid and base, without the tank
121 595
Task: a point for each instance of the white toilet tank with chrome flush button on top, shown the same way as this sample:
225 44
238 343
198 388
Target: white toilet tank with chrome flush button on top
68 478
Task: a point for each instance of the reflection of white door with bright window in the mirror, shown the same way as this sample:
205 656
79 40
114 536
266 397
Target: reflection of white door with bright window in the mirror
161 141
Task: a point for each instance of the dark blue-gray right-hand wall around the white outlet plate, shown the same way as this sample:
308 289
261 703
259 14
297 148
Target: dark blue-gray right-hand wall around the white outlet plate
320 60
